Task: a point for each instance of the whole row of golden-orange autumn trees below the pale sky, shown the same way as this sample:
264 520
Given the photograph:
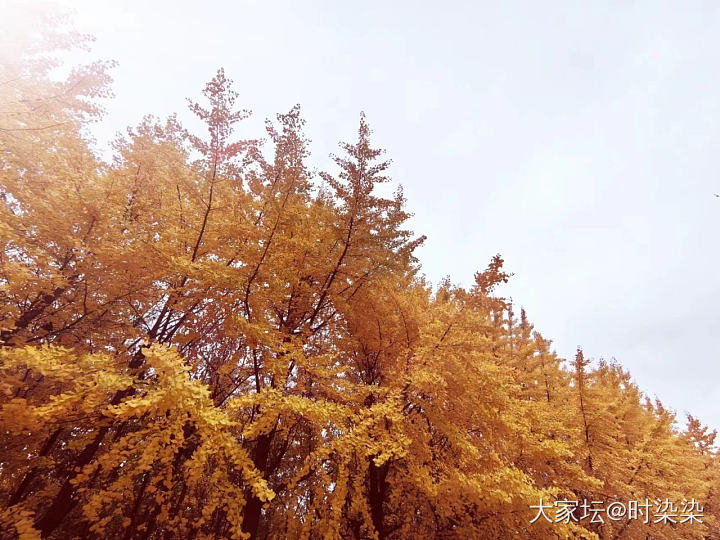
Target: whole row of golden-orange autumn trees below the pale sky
201 338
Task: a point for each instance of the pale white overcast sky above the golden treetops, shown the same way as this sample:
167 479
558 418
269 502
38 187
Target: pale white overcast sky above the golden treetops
580 140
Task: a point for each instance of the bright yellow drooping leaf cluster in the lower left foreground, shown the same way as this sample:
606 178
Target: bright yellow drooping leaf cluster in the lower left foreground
176 414
